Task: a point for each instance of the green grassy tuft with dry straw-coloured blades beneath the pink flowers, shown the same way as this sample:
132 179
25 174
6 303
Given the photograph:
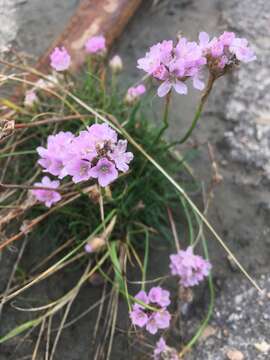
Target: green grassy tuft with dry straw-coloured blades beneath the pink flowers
135 206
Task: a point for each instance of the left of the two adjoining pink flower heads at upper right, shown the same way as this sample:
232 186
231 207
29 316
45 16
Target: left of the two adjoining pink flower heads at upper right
173 65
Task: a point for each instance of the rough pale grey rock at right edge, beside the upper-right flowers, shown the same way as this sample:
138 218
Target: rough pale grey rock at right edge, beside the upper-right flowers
248 106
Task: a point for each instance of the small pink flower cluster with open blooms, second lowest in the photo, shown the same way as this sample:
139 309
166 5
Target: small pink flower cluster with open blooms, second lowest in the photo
142 316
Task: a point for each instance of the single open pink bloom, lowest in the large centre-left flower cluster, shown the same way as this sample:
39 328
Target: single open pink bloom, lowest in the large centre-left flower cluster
105 171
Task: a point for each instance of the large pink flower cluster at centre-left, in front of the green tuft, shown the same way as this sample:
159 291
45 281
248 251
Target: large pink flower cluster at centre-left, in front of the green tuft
94 153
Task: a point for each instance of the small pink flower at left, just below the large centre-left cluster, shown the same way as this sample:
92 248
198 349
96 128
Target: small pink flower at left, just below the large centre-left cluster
48 197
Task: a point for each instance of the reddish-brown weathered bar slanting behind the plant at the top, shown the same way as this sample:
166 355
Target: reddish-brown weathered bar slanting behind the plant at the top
93 17
